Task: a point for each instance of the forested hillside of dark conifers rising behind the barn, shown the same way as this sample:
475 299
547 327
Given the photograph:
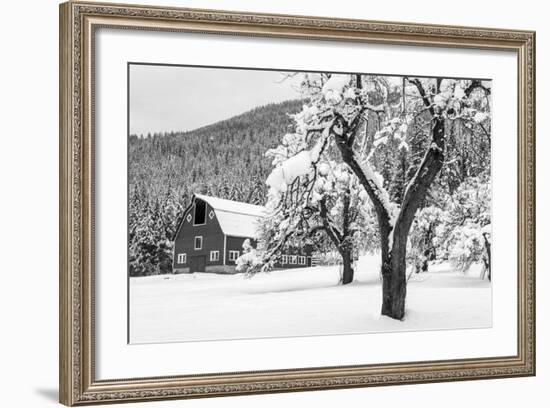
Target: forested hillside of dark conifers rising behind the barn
225 159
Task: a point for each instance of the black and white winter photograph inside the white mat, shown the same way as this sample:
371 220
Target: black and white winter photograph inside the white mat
268 203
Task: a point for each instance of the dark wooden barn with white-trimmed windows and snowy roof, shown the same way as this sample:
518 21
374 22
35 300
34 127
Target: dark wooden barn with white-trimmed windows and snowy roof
211 234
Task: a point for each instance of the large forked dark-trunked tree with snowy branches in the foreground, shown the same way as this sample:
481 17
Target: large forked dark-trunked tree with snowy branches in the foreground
404 112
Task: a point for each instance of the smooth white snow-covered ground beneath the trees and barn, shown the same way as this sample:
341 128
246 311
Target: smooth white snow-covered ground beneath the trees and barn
300 302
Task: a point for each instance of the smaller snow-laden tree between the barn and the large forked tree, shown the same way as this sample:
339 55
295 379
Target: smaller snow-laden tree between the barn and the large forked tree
313 200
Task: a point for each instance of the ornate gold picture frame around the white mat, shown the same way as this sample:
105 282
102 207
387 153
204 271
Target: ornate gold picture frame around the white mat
78 24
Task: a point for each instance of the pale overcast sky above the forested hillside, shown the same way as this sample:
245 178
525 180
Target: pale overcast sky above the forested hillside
166 98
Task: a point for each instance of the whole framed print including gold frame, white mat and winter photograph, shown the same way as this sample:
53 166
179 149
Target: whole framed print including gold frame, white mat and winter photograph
258 203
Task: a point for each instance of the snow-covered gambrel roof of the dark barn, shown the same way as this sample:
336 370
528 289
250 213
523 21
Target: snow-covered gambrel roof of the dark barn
235 218
